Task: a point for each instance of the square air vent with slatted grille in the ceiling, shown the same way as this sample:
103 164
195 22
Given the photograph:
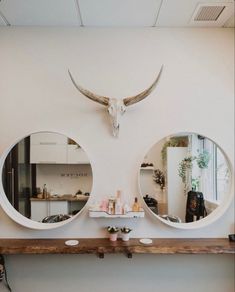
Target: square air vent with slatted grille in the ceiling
208 14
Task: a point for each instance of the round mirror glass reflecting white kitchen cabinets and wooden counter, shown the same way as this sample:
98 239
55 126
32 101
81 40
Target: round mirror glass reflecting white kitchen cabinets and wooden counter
47 177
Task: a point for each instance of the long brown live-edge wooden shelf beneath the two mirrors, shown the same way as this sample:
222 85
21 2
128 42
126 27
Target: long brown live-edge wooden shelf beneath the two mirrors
101 246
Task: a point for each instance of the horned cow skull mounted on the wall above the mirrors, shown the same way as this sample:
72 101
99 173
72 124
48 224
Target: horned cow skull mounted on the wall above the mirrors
116 107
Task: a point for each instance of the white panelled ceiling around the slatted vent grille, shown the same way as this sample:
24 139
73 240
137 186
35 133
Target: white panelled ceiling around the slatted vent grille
110 13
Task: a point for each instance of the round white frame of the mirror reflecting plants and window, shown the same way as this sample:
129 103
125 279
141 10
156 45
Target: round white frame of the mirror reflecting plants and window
215 215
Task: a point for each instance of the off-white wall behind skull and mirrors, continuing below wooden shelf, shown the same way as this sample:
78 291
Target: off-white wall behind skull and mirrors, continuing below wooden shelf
195 94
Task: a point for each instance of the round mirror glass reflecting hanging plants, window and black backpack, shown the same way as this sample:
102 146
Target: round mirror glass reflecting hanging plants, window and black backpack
184 178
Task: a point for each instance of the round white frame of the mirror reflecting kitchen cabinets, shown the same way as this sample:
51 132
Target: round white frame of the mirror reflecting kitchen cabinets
13 213
